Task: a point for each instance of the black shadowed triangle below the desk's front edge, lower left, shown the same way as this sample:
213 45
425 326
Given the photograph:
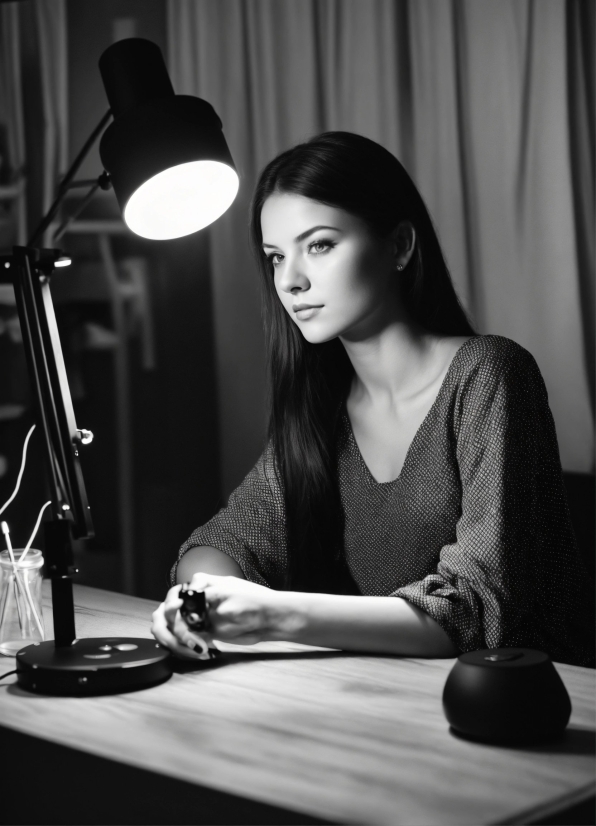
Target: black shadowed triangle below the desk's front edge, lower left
73 788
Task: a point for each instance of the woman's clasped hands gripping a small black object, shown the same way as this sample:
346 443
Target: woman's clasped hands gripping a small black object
239 611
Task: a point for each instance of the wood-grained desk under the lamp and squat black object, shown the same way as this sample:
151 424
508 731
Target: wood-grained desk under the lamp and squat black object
277 733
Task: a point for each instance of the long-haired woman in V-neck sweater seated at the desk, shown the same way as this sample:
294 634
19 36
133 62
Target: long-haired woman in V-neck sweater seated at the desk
410 498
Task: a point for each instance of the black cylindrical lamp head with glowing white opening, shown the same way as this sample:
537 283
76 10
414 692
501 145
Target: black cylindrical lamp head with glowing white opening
167 156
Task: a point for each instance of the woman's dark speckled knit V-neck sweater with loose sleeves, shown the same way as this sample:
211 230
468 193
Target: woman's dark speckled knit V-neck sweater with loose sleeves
475 530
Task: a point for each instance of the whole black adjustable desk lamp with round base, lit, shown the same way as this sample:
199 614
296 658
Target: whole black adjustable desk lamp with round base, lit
167 159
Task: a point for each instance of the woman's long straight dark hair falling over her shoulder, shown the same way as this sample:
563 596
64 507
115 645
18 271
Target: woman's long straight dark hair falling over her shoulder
308 381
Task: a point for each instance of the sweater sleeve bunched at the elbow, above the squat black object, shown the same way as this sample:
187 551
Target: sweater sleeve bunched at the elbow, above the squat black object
514 552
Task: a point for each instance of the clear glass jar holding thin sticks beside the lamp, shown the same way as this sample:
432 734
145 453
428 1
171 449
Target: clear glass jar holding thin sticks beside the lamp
21 614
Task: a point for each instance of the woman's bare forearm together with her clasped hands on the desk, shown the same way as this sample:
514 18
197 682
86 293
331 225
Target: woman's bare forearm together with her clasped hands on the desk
245 613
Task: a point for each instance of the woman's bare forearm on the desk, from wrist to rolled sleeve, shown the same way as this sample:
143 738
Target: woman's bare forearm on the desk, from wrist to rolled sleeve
388 625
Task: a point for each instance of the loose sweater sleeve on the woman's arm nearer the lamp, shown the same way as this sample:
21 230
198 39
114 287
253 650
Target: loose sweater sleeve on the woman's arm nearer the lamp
251 528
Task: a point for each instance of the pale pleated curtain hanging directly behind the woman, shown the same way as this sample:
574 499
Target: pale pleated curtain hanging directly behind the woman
488 103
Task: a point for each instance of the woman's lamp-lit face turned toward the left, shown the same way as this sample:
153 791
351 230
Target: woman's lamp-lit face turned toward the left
333 276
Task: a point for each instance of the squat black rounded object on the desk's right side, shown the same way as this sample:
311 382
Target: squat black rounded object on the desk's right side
506 695
